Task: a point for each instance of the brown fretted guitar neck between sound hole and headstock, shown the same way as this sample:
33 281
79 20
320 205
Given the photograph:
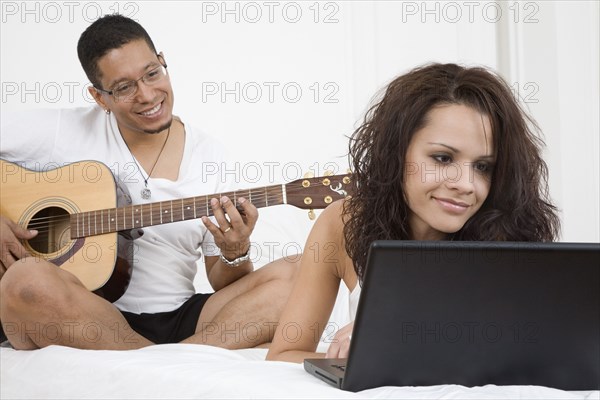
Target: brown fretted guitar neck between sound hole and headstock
111 220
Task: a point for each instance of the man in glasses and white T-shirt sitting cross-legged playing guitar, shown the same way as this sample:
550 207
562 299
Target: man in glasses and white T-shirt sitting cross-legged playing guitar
154 157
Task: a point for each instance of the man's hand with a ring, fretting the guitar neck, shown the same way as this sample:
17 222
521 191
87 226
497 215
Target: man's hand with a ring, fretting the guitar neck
232 235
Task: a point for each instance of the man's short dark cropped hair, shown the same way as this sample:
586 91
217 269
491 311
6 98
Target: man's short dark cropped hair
107 33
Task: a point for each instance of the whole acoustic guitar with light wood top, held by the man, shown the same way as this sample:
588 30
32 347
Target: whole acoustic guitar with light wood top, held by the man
74 210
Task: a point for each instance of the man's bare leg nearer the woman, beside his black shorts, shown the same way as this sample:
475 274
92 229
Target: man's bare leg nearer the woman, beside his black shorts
245 313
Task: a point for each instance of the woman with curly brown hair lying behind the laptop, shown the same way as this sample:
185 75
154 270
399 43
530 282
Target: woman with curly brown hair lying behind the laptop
446 154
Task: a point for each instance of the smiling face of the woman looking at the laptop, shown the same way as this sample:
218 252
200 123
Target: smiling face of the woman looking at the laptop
449 164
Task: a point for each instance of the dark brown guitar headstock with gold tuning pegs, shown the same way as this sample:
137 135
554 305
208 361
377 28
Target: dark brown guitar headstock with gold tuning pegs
318 192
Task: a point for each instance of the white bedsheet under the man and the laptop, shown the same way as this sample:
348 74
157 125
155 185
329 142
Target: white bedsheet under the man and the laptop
182 371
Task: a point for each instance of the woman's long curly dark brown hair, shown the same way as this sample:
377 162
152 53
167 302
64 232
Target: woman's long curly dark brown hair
517 207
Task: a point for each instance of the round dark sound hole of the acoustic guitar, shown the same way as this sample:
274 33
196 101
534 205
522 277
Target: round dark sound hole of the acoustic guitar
53 228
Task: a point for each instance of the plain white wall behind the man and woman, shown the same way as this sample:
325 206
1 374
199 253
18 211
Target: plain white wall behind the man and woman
338 54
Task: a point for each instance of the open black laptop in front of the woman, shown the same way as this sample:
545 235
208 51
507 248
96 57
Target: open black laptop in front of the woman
472 314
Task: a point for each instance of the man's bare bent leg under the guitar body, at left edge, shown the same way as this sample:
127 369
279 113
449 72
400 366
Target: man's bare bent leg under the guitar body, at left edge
41 305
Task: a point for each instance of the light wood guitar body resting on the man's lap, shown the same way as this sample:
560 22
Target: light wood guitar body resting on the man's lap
45 200
